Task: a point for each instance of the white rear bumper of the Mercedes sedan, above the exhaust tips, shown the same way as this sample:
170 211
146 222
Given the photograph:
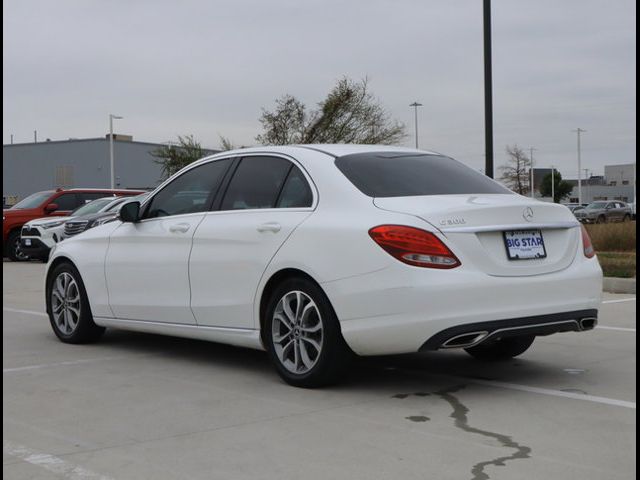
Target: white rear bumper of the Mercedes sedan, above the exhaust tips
399 309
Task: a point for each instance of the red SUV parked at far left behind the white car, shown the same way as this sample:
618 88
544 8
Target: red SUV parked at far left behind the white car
43 204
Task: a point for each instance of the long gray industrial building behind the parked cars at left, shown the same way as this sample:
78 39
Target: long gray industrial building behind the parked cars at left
80 163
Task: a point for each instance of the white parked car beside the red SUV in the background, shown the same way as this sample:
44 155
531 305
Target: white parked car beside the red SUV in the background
38 237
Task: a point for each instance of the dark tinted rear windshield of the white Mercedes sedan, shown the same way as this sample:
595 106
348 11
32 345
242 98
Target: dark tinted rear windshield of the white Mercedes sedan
404 175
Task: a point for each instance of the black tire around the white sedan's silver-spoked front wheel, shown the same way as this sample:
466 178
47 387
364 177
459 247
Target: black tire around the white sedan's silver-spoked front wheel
84 330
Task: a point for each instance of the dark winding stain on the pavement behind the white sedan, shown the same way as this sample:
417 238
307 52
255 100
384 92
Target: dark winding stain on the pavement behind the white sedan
461 421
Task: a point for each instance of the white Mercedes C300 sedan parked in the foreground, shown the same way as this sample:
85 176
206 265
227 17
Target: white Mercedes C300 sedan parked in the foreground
316 252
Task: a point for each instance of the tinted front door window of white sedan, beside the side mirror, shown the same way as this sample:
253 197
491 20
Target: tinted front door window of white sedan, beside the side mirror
191 192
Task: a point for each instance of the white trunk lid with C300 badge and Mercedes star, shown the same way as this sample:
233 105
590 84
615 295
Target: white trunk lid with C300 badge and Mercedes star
474 227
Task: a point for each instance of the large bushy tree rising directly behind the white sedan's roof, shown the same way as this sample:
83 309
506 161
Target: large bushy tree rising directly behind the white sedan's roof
349 114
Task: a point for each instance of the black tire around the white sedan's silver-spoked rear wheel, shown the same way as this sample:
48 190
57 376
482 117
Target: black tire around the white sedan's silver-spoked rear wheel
334 358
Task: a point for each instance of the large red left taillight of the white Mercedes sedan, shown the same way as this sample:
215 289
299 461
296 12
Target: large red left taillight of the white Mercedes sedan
414 246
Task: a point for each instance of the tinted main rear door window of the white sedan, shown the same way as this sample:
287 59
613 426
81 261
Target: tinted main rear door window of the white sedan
256 183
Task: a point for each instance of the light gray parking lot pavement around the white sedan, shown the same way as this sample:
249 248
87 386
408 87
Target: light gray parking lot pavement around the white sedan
140 406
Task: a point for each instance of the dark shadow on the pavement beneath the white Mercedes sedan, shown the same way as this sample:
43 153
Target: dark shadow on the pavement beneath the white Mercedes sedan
364 373
